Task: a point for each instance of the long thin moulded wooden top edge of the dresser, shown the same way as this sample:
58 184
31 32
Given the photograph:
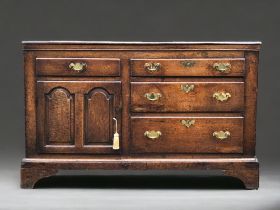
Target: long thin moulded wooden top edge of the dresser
112 45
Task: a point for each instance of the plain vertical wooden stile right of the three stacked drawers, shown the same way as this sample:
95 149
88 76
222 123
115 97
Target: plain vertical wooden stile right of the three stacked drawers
252 59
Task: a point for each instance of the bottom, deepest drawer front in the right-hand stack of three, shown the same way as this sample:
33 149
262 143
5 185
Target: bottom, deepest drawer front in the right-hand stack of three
186 135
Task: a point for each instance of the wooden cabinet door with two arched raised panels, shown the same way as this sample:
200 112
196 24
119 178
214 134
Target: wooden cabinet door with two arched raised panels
77 117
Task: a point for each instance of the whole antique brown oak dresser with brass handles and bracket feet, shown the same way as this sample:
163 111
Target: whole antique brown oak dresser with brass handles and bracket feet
140 106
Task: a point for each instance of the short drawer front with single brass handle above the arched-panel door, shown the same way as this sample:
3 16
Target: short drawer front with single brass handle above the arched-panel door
77 67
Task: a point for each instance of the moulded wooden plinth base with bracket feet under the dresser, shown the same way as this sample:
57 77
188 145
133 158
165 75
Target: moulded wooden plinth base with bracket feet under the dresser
245 169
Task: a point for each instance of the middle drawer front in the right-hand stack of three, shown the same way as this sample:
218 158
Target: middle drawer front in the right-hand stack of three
187 96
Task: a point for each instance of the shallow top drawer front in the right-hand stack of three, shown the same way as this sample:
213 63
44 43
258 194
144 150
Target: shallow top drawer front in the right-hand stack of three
188 67
